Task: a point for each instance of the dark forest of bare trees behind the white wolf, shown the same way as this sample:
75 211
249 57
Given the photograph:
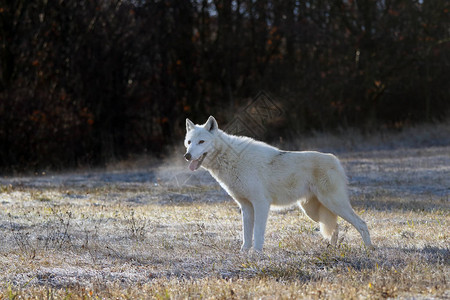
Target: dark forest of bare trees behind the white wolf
84 81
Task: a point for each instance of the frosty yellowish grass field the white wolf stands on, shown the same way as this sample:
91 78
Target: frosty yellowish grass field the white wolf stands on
162 232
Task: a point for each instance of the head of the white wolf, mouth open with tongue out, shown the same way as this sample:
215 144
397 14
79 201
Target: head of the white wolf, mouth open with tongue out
199 141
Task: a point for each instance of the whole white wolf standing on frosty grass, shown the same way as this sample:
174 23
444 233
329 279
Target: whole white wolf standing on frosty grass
257 175
